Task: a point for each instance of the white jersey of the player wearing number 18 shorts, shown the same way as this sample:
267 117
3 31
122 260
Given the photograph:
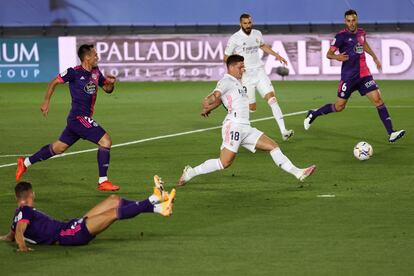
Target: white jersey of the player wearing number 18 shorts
234 98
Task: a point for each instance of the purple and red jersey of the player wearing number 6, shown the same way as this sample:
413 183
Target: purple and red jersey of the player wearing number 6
353 45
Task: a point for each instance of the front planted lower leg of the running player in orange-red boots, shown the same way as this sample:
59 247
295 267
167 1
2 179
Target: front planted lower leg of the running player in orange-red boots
103 158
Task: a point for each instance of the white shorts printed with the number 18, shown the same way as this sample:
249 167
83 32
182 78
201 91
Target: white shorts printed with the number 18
236 135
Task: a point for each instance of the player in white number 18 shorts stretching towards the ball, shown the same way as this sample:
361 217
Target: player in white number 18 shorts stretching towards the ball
236 130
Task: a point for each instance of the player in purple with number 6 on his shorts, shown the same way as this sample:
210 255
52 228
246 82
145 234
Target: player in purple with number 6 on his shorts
355 75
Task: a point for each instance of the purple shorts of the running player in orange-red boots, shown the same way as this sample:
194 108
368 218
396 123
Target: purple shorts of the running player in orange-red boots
82 127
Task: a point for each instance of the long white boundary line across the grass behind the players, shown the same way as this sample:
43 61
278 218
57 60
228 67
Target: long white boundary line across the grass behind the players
152 138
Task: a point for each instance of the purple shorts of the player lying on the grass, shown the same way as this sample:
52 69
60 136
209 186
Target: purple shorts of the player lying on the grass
74 232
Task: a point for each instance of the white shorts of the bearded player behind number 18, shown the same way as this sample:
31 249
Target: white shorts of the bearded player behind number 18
256 79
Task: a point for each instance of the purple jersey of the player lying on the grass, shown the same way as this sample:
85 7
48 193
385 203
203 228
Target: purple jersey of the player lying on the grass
41 229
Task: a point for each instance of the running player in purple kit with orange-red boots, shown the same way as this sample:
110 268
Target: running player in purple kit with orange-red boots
83 85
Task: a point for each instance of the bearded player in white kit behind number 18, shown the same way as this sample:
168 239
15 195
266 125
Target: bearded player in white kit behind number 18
246 42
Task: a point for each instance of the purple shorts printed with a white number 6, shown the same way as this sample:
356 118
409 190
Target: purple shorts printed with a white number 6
363 85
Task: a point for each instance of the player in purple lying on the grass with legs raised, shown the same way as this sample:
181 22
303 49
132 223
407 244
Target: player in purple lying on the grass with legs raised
36 227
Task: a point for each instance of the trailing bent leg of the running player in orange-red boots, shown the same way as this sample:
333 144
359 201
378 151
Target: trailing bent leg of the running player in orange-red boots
44 153
